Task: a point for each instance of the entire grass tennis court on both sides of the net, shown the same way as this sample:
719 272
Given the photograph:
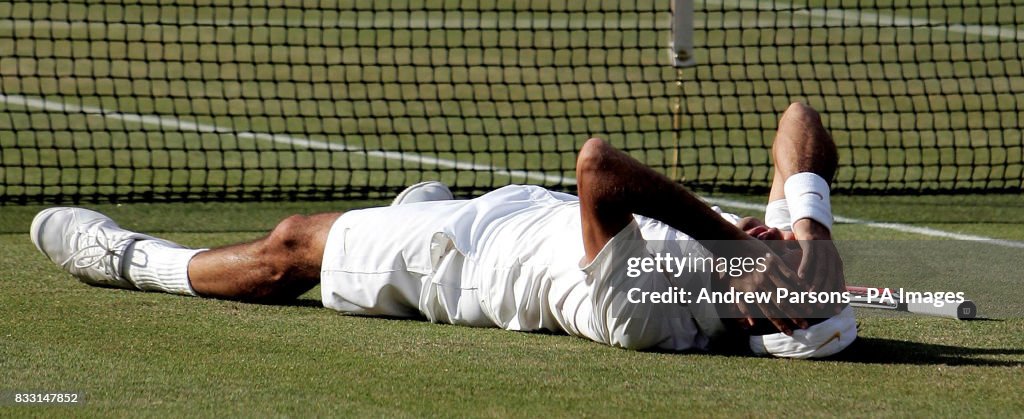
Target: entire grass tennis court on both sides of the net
200 103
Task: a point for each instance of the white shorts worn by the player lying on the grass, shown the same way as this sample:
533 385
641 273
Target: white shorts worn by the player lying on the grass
385 262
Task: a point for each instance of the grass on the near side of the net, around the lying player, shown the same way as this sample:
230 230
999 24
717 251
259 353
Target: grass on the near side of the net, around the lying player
151 354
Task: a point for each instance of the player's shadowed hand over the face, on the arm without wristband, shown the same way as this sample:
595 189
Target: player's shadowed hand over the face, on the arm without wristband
783 315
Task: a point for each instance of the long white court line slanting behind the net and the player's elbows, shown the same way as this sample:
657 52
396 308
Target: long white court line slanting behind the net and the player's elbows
174 123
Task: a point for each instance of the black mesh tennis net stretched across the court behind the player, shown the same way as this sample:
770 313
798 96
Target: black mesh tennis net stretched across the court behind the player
147 101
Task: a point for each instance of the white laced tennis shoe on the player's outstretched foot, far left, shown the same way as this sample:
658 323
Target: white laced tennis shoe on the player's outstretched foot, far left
88 244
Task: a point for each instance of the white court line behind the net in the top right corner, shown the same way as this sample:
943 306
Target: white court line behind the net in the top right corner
871 19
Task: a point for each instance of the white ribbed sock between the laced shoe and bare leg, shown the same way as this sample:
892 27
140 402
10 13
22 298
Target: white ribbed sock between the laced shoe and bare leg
160 266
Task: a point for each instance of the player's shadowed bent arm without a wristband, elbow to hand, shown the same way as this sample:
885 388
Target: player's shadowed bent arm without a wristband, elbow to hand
613 187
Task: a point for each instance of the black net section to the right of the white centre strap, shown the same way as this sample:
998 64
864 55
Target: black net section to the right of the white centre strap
920 96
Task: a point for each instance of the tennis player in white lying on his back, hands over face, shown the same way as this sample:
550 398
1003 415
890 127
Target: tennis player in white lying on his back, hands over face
523 259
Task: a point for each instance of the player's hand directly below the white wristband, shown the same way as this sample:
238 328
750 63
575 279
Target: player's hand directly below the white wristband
821 266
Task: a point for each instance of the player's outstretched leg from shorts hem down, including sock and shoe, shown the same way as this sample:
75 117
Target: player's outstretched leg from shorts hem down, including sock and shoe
95 249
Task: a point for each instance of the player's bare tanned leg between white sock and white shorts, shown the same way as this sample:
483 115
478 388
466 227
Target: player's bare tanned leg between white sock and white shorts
280 267
